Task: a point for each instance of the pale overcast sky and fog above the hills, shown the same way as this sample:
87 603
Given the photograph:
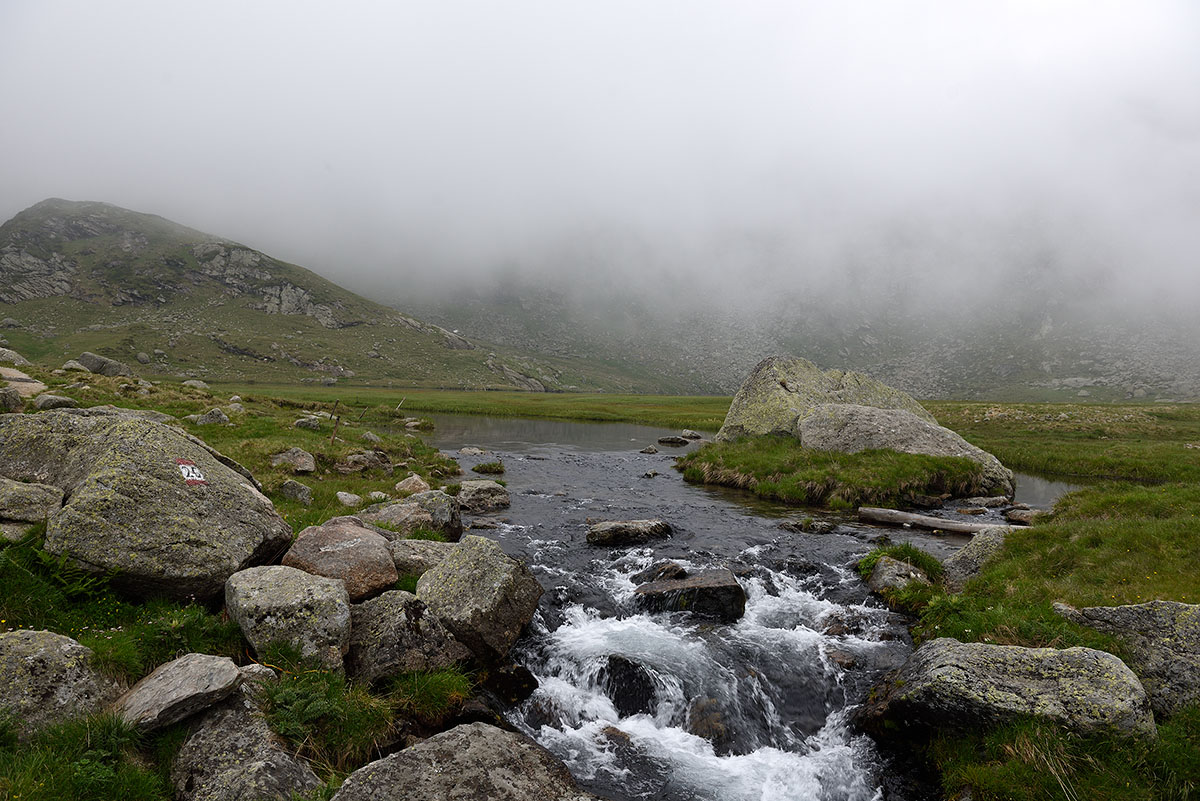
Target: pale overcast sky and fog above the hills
701 143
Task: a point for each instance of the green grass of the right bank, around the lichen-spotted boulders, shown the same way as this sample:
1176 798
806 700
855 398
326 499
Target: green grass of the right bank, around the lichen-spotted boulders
1129 540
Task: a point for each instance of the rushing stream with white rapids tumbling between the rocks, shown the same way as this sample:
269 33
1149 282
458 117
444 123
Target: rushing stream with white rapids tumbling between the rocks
662 706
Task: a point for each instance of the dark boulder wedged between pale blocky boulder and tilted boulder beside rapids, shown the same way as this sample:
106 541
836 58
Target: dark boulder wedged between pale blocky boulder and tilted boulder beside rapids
397 634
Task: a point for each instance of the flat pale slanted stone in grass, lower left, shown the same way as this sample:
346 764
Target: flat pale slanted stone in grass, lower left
178 690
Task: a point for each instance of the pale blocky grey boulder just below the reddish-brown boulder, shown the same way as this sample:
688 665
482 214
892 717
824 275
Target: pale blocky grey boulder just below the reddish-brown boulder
283 605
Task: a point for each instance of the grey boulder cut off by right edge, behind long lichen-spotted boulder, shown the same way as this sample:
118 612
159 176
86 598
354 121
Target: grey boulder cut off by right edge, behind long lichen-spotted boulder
1162 643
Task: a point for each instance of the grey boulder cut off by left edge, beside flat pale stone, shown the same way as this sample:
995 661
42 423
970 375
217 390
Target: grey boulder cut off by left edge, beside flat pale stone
47 678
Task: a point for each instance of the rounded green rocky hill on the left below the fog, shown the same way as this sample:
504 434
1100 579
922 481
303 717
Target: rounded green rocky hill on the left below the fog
92 276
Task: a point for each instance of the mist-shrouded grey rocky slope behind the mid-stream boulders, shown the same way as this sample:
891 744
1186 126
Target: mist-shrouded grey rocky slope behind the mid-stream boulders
1037 346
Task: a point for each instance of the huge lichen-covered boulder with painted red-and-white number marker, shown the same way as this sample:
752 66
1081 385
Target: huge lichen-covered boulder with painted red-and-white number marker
158 508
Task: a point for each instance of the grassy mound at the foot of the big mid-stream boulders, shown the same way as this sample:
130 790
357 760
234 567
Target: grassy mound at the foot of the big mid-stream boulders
777 468
